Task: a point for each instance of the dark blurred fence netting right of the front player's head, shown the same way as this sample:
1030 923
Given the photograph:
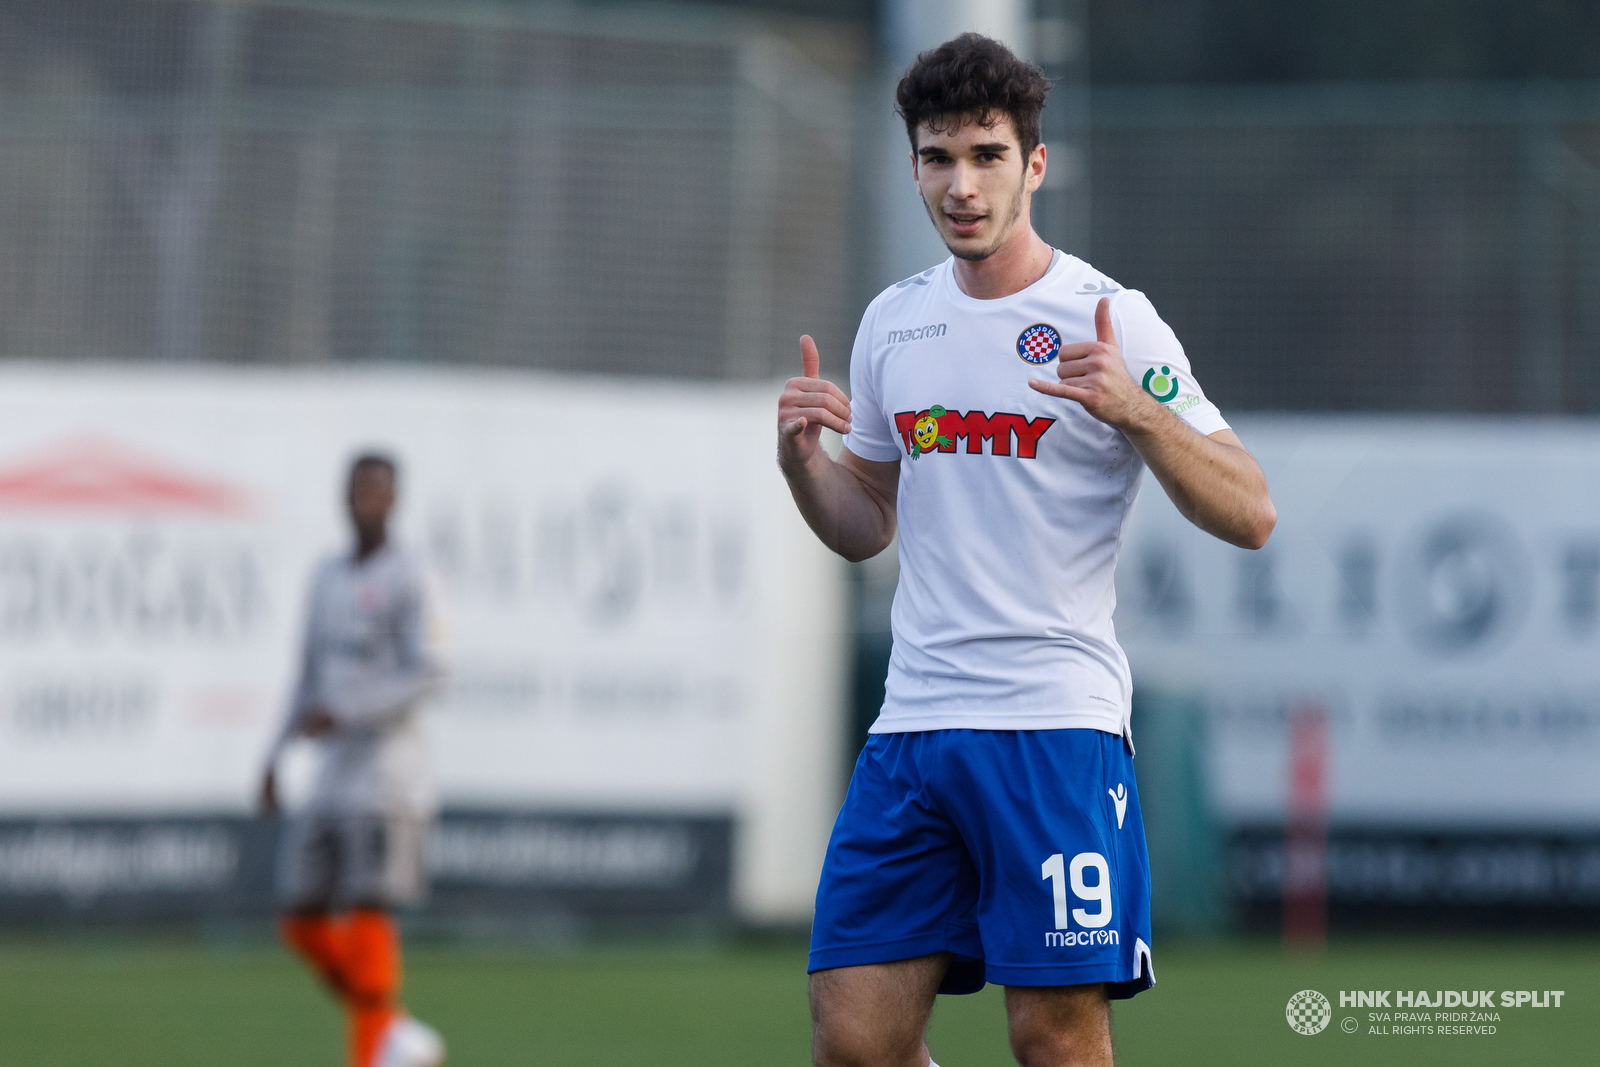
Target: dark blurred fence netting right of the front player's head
1343 254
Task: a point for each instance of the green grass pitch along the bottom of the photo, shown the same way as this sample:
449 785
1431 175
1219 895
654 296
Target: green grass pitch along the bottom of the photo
178 1005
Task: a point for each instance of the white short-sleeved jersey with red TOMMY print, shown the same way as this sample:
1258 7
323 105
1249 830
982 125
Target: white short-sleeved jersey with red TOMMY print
1012 503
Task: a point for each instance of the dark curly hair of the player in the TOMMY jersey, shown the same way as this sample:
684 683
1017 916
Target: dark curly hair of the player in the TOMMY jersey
972 78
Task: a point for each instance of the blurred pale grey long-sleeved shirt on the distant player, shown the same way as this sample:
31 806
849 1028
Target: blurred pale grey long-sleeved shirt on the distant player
374 653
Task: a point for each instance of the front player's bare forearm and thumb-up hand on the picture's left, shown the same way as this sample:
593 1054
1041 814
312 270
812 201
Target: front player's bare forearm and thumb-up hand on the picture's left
849 503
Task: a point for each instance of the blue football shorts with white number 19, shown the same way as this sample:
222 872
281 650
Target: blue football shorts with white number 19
1018 852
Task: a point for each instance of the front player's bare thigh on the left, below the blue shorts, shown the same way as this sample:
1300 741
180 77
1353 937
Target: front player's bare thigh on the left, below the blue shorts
874 1012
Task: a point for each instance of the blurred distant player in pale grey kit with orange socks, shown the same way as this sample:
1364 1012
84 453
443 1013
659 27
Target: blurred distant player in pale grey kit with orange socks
370 660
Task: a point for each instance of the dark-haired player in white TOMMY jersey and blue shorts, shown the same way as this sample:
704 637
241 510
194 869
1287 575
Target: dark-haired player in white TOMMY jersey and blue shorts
1004 406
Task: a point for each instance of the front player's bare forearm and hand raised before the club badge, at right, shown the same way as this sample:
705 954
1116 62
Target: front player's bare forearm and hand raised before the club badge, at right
1214 481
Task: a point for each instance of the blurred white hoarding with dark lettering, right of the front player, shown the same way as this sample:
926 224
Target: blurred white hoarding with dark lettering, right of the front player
1434 583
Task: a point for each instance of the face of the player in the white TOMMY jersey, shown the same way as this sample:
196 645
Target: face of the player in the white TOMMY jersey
977 185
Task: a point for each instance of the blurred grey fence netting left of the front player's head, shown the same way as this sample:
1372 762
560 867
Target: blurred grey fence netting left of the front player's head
254 183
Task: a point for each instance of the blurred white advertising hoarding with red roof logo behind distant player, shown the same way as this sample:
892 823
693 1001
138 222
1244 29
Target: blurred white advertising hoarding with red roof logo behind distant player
639 618
